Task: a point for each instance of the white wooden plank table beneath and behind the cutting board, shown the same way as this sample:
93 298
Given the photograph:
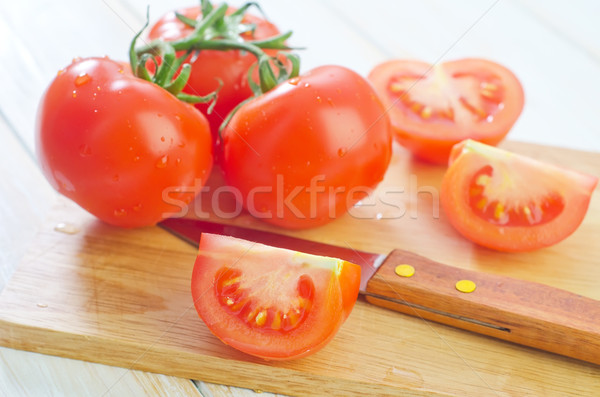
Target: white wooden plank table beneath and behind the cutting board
552 46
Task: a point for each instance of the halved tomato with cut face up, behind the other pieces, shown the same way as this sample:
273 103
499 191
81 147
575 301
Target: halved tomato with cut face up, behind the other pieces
434 107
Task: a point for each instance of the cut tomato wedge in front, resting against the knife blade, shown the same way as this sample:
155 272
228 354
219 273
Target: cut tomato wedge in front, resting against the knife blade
271 302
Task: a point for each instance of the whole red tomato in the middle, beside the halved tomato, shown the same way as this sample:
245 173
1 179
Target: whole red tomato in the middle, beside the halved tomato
306 151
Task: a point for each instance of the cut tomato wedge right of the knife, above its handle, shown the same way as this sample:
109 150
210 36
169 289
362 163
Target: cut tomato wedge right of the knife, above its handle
509 202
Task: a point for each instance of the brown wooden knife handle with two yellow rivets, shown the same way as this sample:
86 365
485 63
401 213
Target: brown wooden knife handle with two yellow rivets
519 311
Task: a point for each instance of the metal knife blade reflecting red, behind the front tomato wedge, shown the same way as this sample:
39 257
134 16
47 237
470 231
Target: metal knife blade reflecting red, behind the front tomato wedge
190 231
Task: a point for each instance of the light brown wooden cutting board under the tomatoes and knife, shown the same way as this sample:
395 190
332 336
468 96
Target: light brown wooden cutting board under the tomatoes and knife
94 292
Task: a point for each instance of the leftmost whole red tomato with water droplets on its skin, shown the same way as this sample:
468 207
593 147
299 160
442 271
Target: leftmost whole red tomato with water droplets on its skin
118 145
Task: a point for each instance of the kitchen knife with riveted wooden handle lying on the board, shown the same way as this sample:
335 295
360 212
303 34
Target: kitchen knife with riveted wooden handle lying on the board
518 311
